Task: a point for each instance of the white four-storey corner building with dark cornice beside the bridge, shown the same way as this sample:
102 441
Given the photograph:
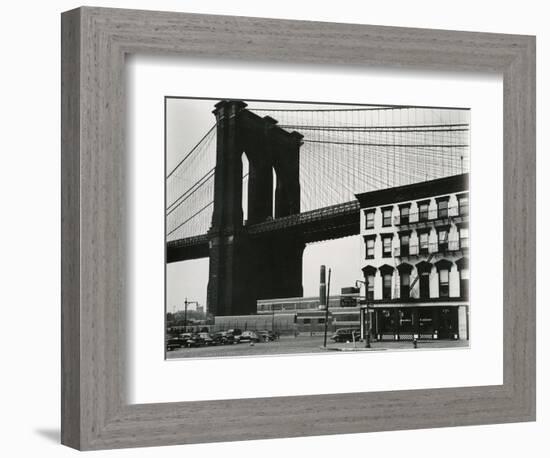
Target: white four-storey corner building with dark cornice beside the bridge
416 253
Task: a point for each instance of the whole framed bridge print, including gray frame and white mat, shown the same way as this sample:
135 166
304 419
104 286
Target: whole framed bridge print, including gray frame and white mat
327 233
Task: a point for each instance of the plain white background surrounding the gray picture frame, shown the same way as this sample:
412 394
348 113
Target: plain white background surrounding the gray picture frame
29 233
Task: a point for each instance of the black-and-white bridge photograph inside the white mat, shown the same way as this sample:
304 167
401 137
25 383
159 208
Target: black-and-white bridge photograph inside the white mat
298 228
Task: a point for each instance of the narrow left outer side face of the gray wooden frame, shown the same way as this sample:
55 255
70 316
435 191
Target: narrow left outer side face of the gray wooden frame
70 229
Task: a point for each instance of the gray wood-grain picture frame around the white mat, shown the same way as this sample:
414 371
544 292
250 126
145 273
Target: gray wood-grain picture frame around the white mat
95 412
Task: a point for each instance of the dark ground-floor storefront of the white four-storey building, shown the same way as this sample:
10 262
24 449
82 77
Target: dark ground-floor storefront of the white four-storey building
422 322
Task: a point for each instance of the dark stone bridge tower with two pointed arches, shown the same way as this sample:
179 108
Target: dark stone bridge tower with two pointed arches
244 269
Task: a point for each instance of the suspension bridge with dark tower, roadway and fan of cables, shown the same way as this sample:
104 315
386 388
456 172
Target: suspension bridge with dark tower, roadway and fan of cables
264 182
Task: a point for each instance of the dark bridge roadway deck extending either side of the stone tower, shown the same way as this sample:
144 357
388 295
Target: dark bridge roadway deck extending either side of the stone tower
326 223
